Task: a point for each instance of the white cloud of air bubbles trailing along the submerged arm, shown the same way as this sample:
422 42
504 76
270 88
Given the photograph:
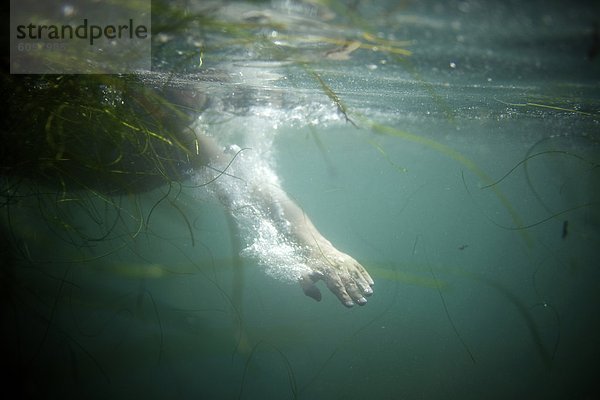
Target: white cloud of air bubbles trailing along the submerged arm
241 183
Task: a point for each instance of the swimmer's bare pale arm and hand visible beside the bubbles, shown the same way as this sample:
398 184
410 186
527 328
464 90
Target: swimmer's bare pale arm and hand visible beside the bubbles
345 277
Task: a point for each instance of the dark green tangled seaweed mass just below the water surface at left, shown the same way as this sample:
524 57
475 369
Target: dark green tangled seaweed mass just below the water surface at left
104 133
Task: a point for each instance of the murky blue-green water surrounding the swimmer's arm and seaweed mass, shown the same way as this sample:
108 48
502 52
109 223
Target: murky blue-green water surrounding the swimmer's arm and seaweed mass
480 292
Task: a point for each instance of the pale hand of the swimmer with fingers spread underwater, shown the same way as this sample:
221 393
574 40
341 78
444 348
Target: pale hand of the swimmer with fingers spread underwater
344 276
